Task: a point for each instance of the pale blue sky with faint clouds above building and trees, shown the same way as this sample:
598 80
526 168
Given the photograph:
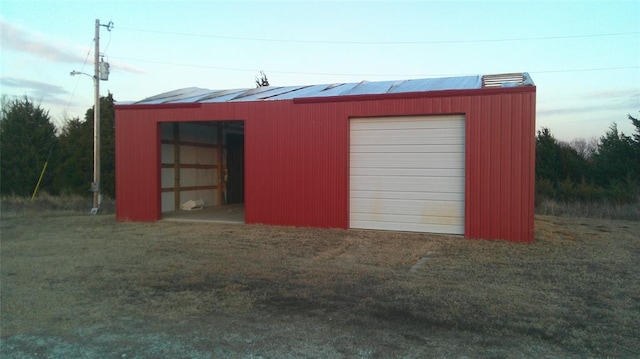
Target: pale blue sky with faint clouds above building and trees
584 56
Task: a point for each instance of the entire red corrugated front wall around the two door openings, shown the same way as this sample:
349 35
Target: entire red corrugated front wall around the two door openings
296 156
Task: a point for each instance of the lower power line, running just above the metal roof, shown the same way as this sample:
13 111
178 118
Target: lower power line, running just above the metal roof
360 74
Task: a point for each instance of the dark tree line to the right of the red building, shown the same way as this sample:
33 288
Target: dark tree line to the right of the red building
601 170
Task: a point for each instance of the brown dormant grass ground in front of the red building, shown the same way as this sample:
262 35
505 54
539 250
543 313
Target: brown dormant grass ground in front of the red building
80 286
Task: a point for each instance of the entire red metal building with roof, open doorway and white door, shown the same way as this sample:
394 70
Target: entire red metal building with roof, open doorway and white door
453 155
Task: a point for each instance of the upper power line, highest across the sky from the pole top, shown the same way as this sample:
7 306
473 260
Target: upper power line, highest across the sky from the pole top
339 42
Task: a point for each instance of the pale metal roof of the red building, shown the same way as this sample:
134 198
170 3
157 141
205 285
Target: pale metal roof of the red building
195 94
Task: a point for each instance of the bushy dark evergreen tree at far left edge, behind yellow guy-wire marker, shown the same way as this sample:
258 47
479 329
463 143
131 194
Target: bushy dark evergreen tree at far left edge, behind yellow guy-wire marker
27 140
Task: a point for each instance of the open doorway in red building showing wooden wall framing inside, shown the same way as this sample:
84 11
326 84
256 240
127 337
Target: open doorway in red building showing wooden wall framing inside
202 171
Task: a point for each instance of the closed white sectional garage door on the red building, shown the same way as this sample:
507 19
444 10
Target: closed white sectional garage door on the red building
407 173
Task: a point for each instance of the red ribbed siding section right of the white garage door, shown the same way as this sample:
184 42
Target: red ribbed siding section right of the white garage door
501 168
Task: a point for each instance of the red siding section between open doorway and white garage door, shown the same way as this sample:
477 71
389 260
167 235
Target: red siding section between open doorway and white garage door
295 167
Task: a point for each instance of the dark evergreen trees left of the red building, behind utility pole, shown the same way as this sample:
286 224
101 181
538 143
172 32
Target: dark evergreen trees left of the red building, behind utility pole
29 139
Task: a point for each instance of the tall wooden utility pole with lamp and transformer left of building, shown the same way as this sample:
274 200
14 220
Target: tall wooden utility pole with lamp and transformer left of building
100 72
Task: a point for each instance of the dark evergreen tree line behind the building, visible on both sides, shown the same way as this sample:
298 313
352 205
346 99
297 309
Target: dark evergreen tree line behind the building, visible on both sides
600 170
